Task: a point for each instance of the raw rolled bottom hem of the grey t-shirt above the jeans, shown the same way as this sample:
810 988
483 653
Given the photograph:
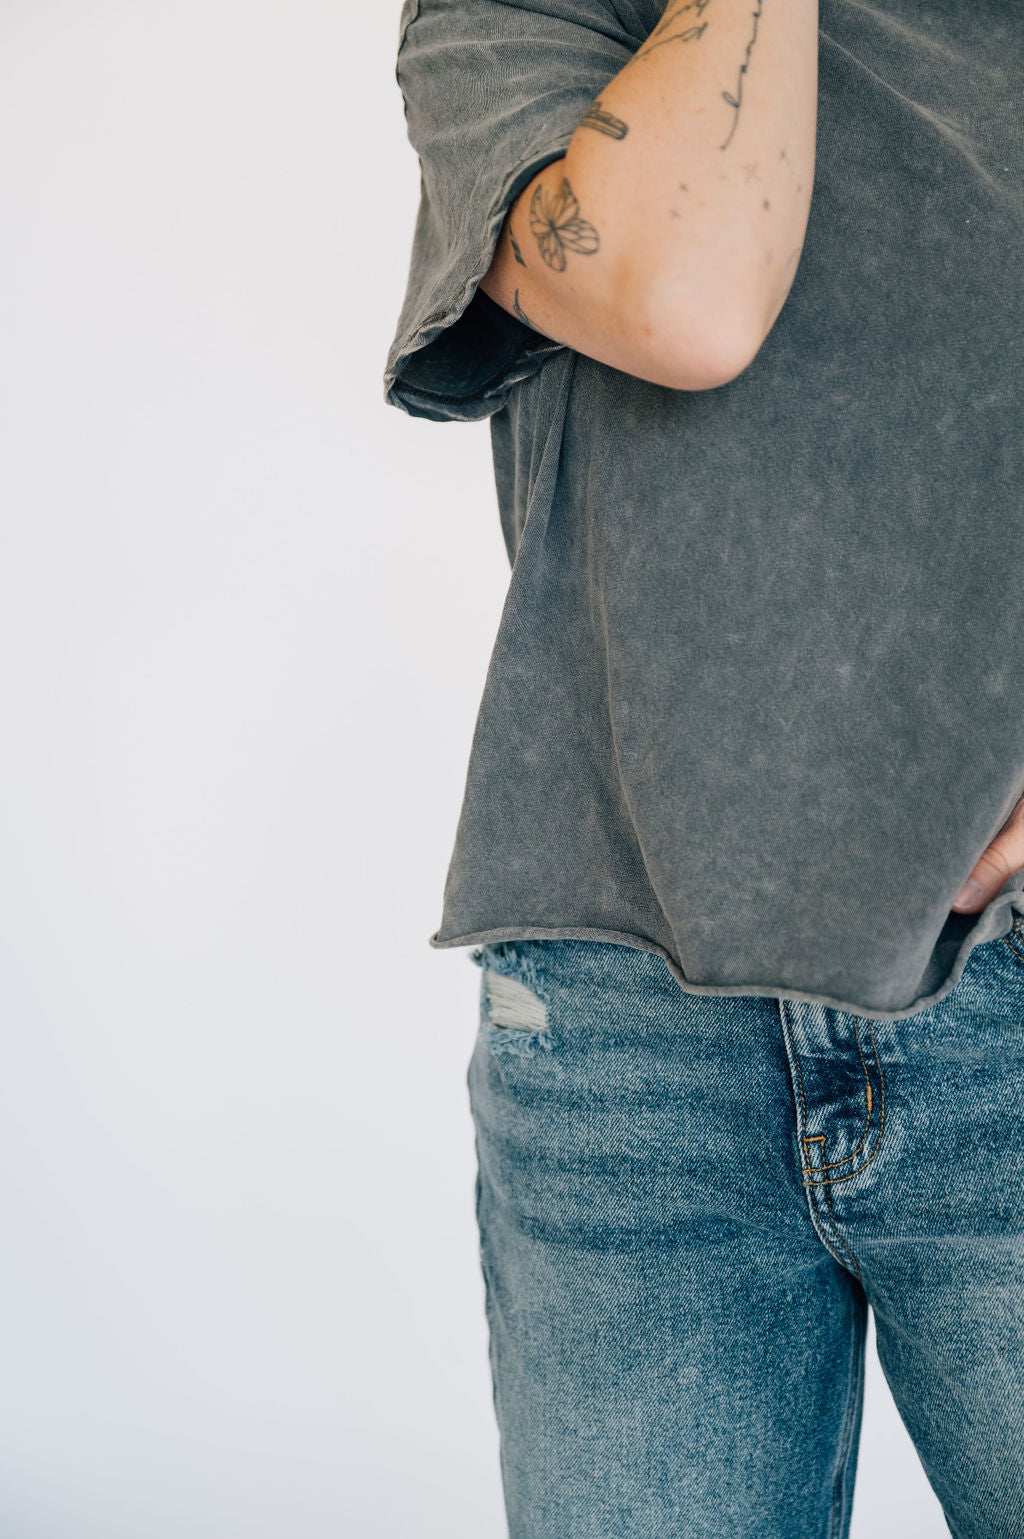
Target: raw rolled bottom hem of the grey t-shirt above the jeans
975 936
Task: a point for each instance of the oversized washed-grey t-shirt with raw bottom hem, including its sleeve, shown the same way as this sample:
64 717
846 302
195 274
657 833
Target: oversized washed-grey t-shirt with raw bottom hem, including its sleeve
757 699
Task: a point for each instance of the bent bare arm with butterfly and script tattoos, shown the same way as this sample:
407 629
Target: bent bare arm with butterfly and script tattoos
666 241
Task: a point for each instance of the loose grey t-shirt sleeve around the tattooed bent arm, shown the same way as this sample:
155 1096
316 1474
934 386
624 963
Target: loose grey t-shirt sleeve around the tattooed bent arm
494 92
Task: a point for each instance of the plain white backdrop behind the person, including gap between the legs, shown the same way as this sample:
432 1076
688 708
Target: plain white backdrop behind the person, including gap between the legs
246 616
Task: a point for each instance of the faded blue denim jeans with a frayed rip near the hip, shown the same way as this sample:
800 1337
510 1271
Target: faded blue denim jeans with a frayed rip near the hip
686 1206
